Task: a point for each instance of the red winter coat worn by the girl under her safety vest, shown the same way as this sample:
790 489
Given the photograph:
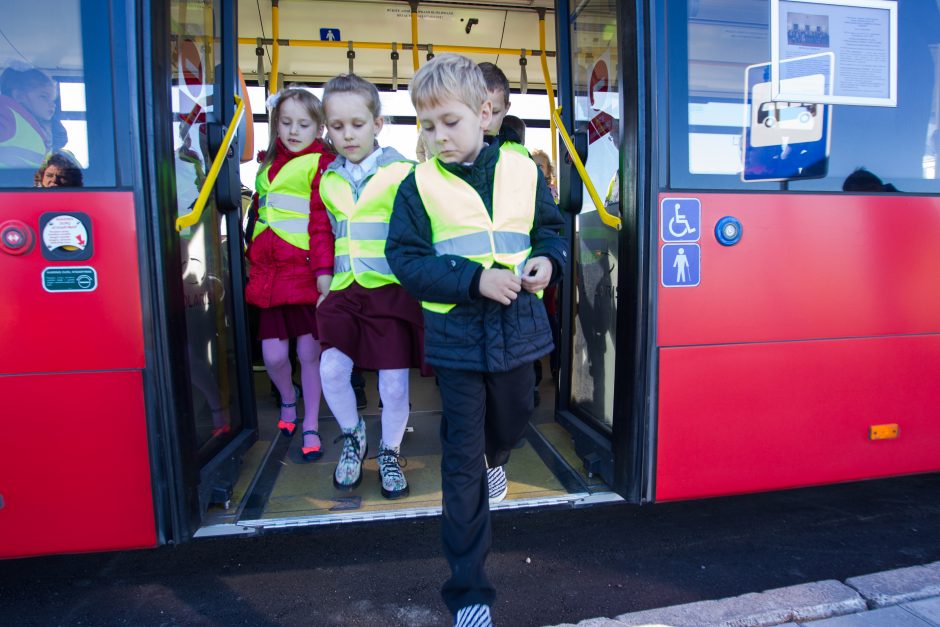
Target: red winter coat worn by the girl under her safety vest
279 272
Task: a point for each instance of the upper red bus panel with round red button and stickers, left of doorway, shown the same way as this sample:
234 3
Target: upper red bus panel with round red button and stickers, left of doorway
62 331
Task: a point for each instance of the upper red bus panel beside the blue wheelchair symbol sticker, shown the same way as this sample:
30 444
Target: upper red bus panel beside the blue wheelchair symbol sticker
809 266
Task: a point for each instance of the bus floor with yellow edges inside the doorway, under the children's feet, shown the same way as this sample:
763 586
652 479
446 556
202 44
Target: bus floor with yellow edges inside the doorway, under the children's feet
277 489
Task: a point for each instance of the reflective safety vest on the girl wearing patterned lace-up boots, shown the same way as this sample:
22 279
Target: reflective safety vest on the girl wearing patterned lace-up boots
361 226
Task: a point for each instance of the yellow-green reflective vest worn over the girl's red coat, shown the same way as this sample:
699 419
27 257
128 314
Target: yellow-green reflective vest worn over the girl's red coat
284 203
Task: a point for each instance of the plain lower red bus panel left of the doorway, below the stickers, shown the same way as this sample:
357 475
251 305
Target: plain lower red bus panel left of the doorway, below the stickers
74 467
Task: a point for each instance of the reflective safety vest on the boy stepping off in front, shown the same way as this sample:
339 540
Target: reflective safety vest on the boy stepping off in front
460 223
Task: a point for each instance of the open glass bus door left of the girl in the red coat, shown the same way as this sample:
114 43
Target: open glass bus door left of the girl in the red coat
209 352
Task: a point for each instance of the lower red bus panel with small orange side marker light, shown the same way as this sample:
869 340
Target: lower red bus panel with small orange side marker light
753 417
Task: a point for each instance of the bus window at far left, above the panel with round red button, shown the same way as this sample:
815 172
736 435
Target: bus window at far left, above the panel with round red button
54 100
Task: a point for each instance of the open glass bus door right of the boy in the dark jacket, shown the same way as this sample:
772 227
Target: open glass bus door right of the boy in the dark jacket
597 45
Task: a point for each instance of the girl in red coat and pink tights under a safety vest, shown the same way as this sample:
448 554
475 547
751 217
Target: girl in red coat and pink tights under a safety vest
291 255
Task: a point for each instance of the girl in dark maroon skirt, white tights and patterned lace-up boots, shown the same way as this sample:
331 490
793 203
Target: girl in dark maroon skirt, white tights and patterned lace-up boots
368 320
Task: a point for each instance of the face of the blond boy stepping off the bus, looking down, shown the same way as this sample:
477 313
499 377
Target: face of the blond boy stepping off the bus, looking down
452 131
